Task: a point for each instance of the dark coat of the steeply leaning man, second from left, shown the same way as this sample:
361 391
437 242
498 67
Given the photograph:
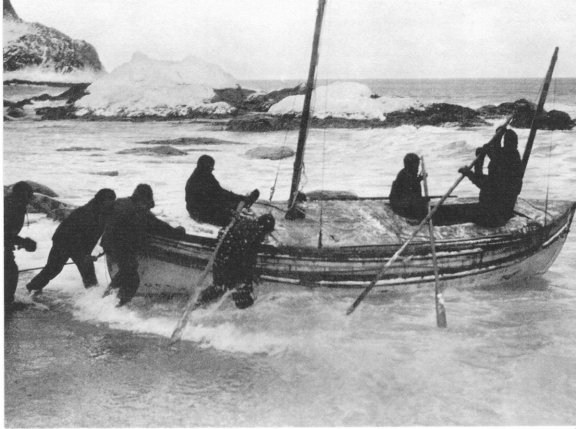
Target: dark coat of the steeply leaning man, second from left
81 230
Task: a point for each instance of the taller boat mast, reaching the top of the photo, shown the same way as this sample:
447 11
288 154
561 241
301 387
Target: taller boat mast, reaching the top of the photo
299 160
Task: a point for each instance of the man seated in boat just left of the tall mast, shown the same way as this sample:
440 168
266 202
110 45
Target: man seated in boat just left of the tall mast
206 200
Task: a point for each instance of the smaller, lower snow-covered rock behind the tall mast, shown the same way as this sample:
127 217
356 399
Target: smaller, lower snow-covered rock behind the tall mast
348 100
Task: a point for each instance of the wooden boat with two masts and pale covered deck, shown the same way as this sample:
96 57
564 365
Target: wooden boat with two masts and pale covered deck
361 235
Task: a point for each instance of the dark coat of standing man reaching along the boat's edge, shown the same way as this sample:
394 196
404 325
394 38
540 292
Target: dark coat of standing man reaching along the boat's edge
126 229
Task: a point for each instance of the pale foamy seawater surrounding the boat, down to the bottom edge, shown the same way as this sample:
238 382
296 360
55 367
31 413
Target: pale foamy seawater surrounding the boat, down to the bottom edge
508 356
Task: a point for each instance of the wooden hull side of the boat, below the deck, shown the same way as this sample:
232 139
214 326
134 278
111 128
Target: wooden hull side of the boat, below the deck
173 267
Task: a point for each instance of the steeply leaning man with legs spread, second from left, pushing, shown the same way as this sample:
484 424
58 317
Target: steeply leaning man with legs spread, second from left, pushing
75 238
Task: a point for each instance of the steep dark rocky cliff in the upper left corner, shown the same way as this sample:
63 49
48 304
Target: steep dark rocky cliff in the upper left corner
38 47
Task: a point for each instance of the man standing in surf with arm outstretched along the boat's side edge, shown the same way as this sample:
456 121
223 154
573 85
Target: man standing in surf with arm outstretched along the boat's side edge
125 236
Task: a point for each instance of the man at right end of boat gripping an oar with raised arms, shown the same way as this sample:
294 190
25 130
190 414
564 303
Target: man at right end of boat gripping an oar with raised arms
499 188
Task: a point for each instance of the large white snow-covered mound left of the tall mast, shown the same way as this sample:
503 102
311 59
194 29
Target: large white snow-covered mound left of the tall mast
148 87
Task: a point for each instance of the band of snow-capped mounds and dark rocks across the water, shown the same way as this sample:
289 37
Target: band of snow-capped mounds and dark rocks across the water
149 89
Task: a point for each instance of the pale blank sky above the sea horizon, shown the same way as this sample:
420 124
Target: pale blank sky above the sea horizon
361 39
